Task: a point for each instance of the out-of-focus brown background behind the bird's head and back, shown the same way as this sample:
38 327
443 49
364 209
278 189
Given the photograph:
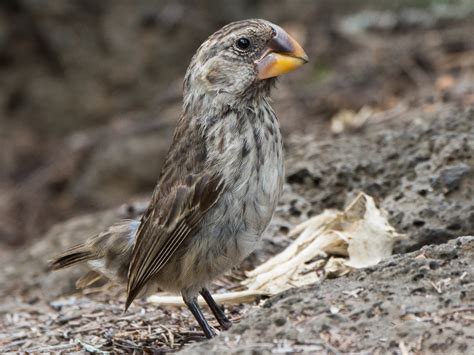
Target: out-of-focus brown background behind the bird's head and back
91 90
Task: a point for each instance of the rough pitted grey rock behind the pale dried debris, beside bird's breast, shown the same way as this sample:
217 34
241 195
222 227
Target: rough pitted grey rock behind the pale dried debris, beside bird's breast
421 174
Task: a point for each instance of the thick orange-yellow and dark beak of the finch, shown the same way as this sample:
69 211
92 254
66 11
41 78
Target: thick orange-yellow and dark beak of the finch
283 55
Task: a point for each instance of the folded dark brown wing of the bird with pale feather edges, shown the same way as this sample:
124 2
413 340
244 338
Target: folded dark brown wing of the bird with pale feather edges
170 218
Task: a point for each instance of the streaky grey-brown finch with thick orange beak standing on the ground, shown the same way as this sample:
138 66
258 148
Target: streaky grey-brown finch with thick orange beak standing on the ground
220 182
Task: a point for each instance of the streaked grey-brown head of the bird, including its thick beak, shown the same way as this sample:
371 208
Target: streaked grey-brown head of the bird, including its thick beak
240 61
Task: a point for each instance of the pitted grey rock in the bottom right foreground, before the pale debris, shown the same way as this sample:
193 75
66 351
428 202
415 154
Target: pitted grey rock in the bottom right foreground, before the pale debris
421 301
